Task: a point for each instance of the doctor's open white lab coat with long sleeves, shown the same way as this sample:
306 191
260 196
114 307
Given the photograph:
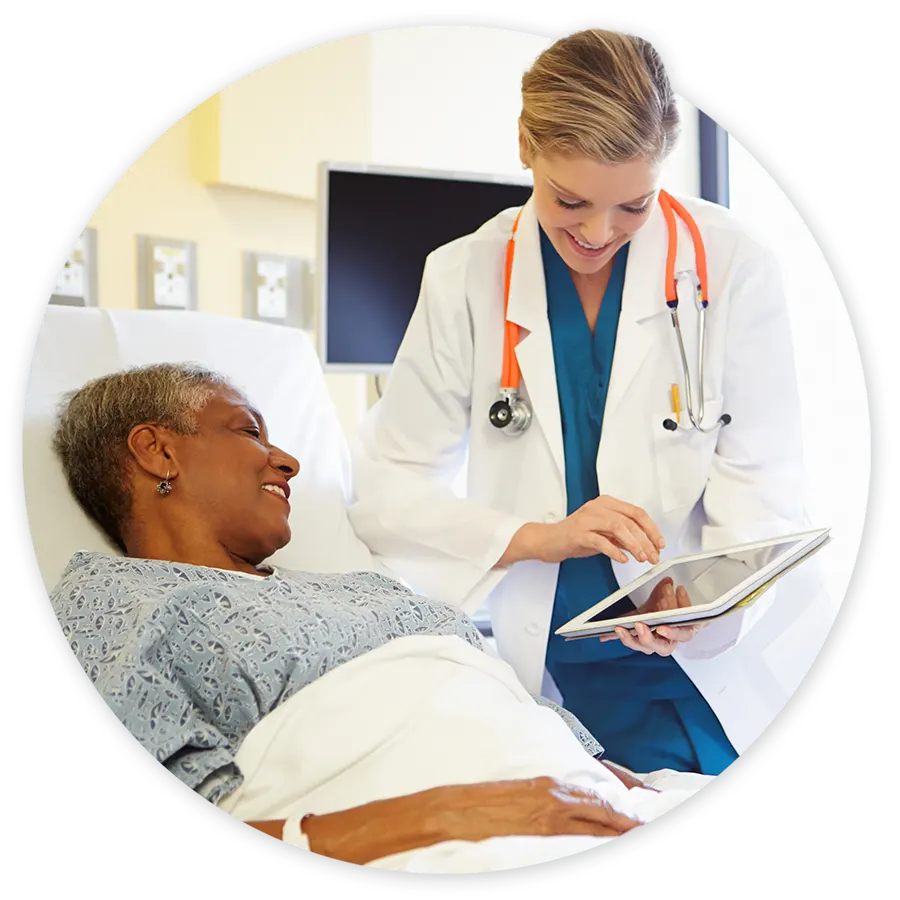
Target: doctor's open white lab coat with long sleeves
740 484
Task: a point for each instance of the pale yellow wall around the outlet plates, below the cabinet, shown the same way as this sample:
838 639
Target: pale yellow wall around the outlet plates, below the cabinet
158 196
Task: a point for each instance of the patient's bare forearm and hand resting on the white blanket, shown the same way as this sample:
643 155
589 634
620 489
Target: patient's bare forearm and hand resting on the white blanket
473 812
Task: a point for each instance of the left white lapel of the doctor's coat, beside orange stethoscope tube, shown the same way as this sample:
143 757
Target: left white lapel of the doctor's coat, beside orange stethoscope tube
528 309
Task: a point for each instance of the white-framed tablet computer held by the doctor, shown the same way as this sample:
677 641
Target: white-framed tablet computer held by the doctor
714 582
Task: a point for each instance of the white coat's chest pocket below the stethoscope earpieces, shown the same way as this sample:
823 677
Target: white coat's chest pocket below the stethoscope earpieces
684 456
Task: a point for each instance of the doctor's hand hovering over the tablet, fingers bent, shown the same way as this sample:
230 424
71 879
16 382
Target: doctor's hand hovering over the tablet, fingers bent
603 525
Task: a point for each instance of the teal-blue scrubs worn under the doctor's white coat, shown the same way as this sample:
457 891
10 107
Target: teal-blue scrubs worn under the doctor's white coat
643 708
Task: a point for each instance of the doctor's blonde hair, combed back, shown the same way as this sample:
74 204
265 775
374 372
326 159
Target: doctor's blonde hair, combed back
600 93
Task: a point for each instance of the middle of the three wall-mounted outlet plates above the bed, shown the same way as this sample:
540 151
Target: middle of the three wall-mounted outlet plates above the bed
167 273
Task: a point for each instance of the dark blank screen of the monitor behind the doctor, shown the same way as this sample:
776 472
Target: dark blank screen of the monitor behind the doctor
380 229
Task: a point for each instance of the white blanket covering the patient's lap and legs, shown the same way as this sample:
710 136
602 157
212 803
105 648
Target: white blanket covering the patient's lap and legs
414 714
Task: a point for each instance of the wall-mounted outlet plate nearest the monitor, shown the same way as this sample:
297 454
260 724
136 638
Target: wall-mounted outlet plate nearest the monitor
276 289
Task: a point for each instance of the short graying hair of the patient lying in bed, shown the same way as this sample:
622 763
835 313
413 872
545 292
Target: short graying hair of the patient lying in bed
95 421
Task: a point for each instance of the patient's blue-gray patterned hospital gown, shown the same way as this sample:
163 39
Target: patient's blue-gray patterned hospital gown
191 658
